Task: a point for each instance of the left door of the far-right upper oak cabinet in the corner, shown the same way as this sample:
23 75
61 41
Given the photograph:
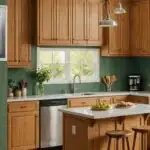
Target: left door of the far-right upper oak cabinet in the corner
135 29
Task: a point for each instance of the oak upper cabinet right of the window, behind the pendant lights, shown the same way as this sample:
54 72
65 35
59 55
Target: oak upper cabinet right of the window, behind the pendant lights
116 39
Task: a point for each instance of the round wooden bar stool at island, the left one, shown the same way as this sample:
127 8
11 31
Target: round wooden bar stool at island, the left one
118 134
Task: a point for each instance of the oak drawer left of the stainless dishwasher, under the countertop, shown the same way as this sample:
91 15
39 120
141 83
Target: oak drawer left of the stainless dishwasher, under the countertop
22 106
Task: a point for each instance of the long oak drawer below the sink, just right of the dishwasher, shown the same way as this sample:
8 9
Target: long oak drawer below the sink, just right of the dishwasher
82 102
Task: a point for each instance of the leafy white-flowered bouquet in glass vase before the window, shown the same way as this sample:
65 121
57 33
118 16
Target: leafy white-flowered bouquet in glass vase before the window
42 75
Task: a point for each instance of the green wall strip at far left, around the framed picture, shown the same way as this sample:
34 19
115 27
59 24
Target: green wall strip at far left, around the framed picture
3 102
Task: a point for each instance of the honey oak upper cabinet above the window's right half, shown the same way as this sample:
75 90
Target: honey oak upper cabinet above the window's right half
86 15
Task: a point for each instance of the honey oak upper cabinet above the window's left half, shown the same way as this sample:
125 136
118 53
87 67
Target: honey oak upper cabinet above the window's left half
53 22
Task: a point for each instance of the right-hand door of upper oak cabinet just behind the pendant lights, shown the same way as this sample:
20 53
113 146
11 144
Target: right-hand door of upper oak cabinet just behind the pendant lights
125 29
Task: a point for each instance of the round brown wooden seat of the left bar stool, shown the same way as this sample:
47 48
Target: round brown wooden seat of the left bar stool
119 133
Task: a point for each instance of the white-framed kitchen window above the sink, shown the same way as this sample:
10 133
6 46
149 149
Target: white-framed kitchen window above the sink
66 62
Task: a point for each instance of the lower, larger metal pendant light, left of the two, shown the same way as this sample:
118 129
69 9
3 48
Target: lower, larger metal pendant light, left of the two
107 22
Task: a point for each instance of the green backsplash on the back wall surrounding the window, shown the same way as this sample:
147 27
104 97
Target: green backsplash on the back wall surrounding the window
108 65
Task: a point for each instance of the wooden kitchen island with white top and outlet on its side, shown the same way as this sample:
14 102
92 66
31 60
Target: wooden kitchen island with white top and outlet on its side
84 129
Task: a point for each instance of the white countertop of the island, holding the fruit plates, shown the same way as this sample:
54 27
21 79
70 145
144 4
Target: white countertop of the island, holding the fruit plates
115 112
